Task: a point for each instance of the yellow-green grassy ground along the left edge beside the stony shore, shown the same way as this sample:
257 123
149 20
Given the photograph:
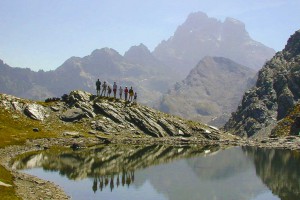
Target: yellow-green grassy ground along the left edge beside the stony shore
15 129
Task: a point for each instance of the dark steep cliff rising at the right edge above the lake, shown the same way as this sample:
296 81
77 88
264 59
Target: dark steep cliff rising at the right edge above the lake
277 90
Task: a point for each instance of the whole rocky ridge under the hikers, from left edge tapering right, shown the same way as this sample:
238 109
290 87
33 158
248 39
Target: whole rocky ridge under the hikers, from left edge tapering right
111 117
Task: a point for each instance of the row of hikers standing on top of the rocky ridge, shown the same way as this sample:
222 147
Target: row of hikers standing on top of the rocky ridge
106 91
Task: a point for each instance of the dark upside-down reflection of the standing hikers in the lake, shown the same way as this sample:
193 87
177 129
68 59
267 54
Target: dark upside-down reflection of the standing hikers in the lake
126 178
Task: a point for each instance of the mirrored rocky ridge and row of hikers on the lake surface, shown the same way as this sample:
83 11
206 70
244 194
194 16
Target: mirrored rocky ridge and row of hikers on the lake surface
109 165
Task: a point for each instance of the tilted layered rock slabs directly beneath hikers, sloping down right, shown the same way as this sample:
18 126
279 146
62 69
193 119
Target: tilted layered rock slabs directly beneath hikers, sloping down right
109 115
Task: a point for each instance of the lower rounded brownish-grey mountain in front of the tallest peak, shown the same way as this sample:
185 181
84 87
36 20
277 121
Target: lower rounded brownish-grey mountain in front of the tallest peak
211 91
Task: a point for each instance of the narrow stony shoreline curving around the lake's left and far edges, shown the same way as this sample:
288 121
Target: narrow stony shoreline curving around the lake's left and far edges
31 187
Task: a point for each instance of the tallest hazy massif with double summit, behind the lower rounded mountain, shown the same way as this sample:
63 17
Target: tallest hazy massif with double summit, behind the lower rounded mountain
201 36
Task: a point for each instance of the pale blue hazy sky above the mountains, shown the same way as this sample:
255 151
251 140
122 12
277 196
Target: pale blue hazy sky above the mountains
42 34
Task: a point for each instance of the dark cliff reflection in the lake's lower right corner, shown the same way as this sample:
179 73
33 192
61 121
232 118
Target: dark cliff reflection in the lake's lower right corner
278 169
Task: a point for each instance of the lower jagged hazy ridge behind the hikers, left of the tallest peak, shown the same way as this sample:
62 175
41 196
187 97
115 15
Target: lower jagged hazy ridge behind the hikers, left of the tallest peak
145 74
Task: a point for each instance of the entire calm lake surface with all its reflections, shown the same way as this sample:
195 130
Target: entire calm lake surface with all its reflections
168 172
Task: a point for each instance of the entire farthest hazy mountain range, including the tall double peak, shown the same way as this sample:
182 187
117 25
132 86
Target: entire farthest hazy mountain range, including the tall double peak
150 73
